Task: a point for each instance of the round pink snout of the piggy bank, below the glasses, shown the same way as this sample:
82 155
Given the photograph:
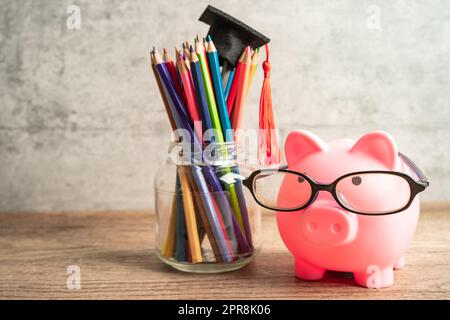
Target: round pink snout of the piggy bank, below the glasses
325 225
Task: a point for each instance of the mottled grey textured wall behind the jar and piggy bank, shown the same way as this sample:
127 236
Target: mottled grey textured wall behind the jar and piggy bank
82 124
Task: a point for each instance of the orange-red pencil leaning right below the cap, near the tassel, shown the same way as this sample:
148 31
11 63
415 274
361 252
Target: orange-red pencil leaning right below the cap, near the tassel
244 73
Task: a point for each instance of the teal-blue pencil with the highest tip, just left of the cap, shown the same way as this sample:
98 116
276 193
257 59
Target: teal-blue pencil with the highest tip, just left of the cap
214 68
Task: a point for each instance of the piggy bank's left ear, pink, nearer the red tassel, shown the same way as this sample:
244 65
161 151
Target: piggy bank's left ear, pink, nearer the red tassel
302 143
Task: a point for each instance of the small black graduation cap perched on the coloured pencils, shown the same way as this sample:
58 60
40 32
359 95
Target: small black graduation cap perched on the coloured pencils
230 35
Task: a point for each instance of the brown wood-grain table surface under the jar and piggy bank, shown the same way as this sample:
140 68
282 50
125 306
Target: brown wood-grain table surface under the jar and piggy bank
114 251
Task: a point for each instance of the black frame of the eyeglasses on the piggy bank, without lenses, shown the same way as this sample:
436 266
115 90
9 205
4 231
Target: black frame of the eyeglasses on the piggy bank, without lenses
416 186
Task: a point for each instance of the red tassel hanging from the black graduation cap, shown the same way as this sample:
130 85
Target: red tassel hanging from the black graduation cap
269 150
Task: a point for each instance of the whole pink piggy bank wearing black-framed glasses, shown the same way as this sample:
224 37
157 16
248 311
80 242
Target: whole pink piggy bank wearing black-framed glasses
359 218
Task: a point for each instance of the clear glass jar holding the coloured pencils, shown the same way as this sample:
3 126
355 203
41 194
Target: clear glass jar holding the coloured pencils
206 220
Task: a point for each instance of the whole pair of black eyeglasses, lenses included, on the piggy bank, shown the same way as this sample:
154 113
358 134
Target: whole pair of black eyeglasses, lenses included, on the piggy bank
363 192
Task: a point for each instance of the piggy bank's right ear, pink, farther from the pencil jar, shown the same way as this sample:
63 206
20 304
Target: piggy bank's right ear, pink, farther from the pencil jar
379 145
